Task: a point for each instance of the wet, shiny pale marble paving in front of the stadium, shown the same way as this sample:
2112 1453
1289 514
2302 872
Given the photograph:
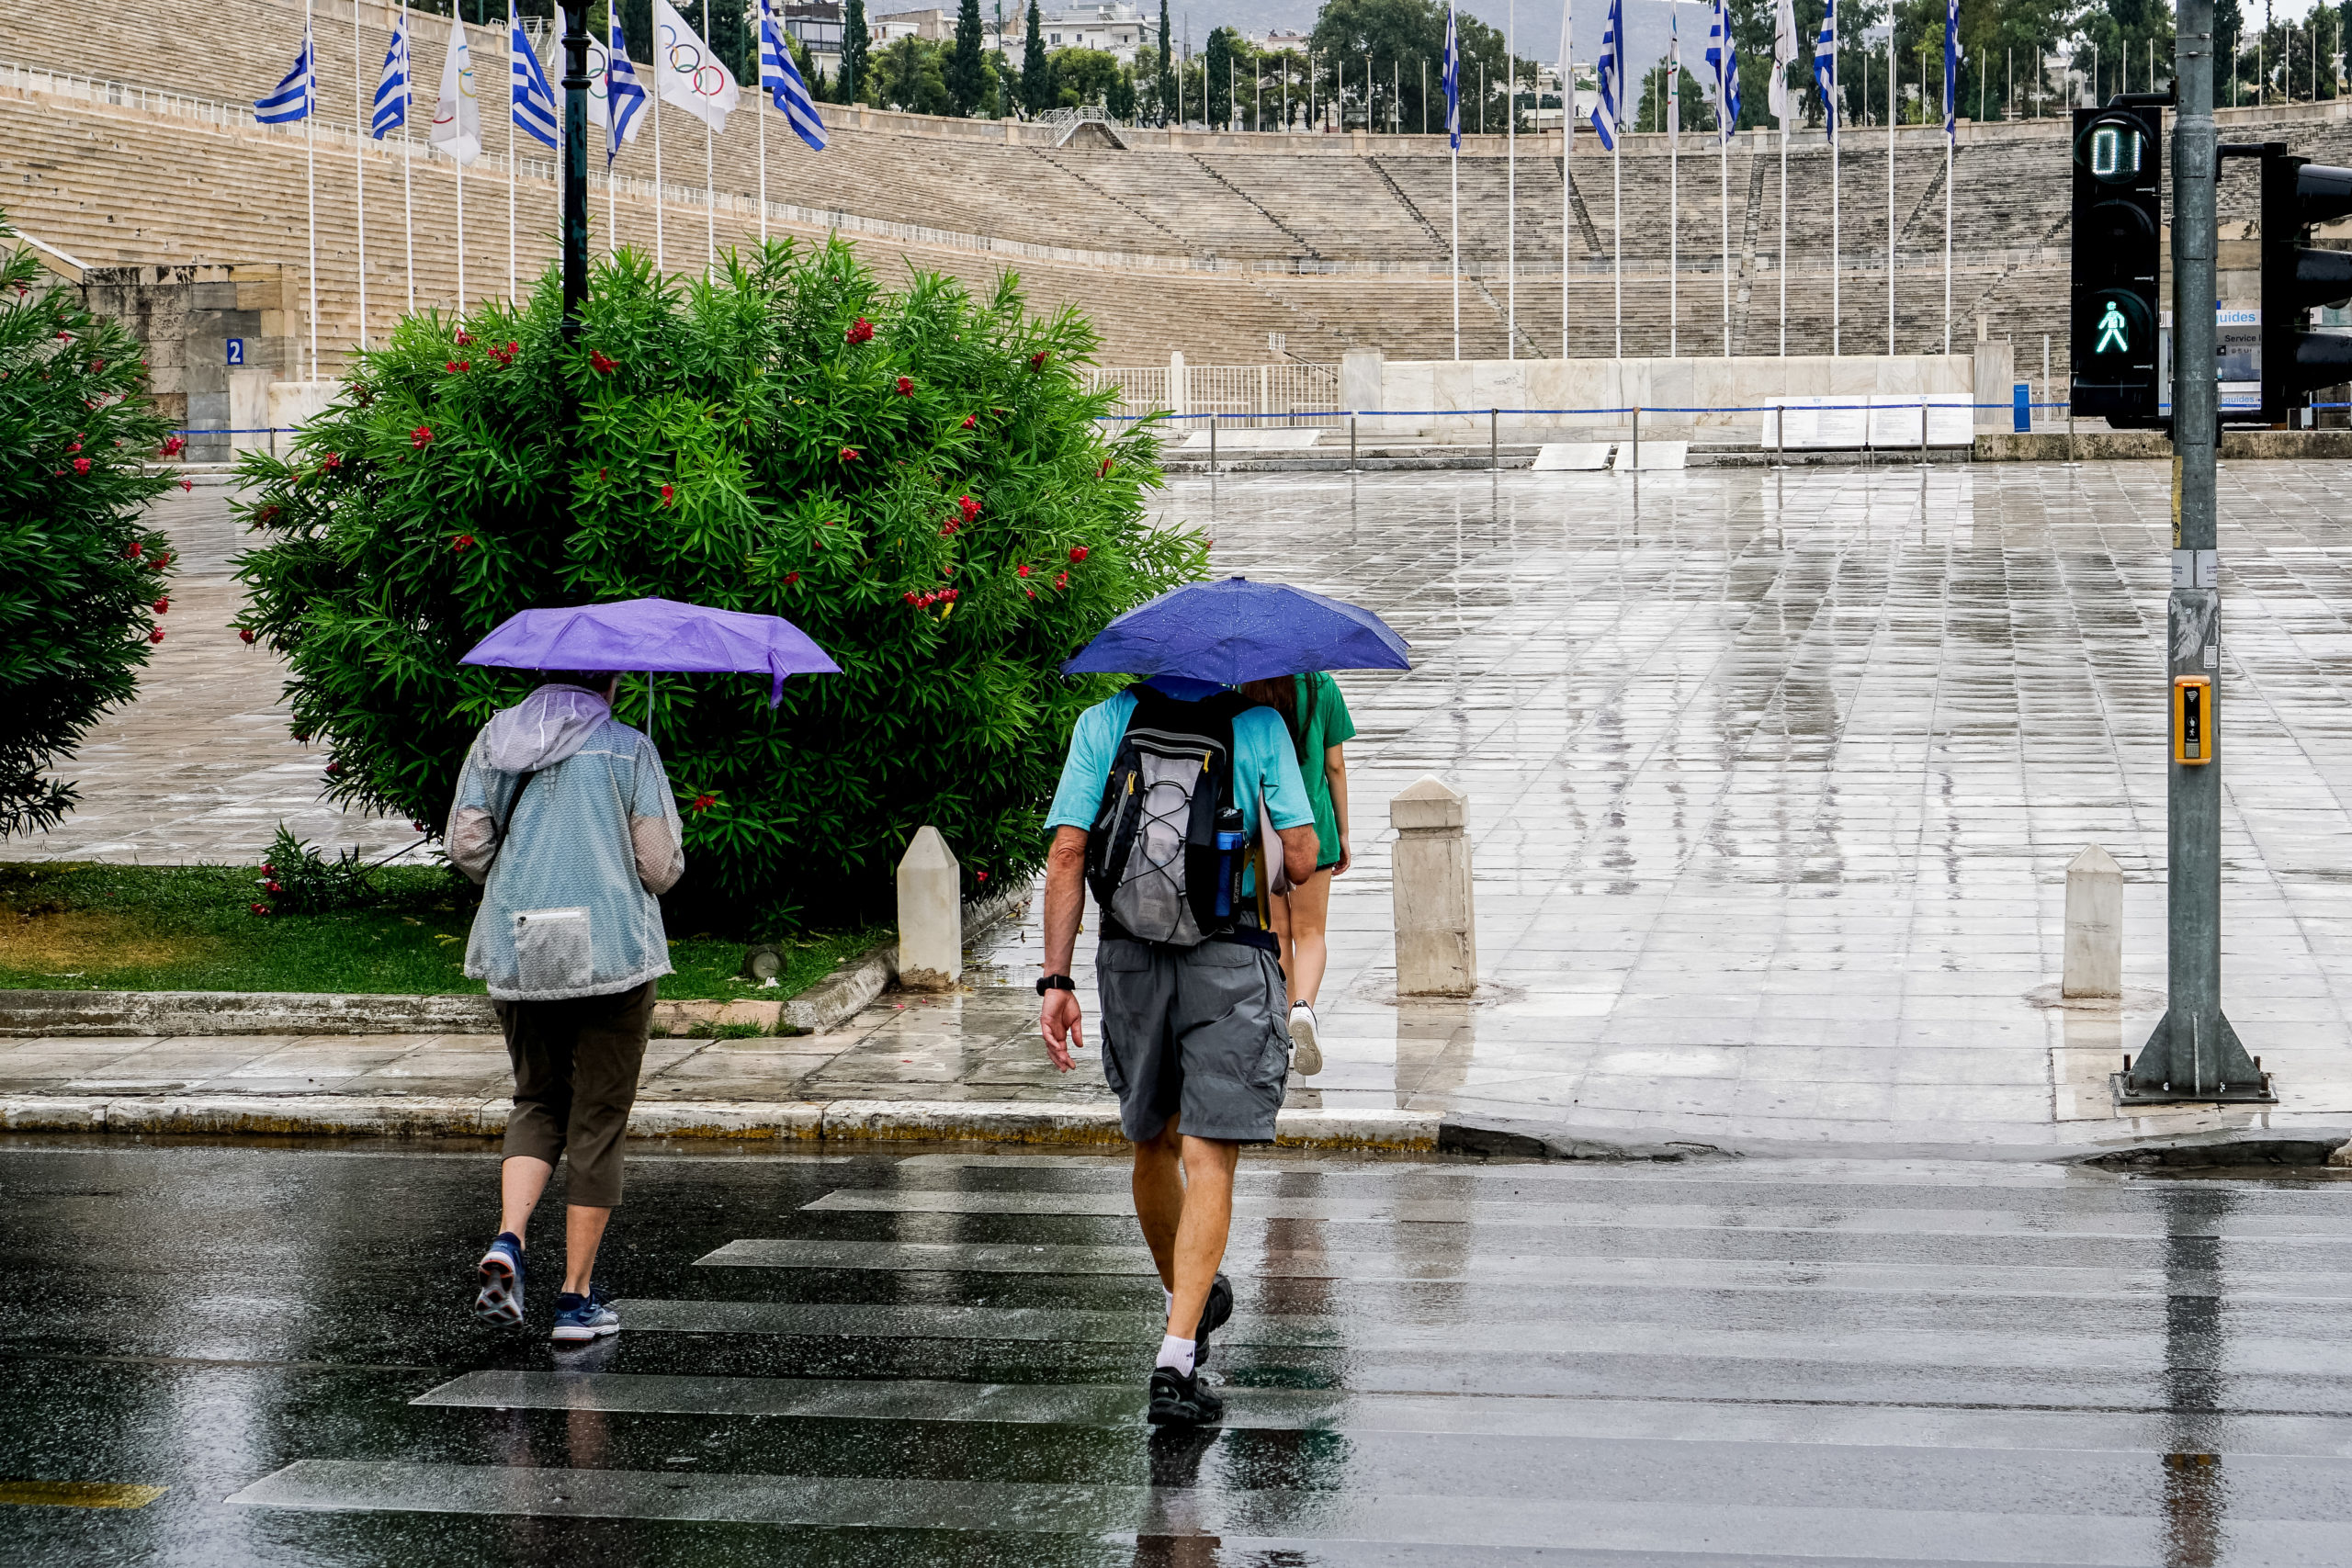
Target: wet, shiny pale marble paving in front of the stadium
1772 791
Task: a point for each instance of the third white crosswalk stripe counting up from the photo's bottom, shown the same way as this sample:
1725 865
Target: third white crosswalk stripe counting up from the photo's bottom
1561 1334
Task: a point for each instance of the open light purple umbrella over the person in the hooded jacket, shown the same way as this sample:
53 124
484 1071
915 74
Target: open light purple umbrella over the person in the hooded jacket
653 636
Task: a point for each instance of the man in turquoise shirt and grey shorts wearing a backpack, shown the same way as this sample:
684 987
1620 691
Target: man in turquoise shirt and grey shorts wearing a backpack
1158 815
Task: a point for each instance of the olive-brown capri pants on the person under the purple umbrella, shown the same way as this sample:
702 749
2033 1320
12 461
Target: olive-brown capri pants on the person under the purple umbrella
575 1078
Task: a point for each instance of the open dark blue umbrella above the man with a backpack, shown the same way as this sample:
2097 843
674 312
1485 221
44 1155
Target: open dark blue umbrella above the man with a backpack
1241 631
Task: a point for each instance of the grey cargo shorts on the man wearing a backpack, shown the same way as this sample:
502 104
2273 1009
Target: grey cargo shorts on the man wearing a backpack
1196 1033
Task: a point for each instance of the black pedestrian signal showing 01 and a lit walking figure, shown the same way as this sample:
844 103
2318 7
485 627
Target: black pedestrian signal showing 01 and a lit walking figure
2118 262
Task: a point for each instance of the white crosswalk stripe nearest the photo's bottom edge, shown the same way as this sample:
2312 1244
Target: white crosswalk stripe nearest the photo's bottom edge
1264 1517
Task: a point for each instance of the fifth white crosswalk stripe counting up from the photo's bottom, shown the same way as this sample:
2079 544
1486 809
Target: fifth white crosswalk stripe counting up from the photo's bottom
1546 1209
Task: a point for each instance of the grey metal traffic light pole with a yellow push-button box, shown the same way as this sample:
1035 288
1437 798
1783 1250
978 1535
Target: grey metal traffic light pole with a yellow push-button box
2193 1052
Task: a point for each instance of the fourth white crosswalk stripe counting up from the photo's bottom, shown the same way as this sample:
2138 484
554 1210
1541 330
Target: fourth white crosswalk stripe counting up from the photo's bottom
1551 1268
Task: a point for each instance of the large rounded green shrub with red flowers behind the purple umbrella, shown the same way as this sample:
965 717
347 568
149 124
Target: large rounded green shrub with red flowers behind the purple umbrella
784 438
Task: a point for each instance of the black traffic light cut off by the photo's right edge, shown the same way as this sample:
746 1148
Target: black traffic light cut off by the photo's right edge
2297 279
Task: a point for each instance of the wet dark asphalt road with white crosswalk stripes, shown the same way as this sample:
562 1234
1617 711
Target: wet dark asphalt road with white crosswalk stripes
937 1358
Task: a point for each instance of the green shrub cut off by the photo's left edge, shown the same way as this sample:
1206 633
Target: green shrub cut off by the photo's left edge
81 577
